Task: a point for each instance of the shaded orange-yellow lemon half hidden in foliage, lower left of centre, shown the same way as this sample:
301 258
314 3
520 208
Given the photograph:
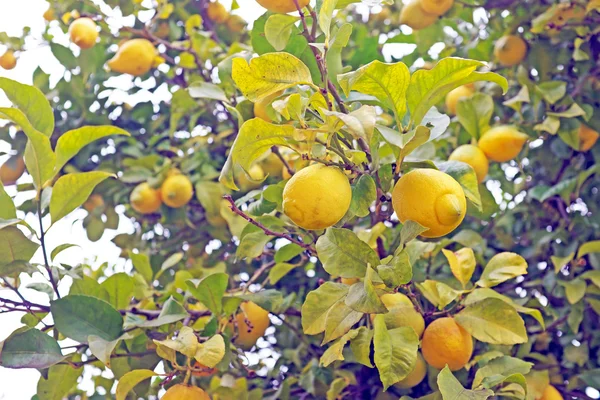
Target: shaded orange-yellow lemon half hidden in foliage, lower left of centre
252 322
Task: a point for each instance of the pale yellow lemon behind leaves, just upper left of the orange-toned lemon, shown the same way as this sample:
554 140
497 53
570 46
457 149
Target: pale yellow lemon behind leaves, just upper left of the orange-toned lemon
401 312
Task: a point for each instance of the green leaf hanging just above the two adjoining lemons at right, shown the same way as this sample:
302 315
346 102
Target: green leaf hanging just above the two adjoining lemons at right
474 113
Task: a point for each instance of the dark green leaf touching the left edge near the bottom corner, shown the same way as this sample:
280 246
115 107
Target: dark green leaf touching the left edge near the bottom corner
29 349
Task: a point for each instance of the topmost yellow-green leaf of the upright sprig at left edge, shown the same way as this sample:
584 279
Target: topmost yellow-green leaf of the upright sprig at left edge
32 102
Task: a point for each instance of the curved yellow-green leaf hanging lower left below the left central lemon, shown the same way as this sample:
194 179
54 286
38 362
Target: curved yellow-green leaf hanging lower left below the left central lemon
318 304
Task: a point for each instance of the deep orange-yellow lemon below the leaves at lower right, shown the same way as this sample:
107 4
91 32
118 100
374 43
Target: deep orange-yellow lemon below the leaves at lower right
446 342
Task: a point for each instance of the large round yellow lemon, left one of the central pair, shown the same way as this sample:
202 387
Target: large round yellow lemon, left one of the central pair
317 197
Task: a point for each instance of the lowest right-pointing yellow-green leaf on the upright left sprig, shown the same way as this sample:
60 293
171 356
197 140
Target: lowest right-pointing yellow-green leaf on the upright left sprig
72 190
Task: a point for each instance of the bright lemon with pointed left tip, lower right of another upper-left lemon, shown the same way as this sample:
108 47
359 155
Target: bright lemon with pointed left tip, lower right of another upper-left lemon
135 57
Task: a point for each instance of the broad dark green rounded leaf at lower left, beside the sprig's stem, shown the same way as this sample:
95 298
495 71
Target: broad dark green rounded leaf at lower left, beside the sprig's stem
78 317
